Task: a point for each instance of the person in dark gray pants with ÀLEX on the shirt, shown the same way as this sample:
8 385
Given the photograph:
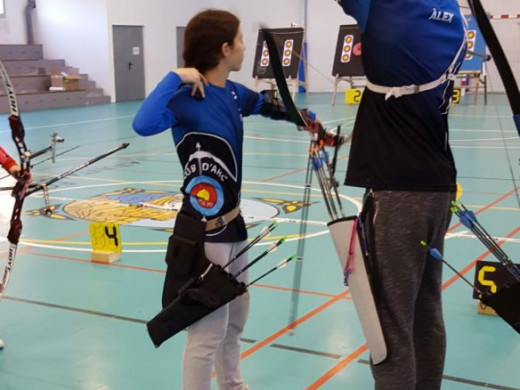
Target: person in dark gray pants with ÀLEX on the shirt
411 50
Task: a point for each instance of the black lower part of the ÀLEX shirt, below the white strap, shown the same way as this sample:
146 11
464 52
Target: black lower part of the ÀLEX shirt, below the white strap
402 144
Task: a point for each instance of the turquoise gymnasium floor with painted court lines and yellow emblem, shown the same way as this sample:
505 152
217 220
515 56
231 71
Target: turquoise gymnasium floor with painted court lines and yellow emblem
71 324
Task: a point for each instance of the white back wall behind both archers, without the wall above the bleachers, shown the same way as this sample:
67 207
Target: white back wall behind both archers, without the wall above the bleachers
160 17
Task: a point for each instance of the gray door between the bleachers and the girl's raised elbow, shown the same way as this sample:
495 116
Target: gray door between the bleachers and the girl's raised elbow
128 62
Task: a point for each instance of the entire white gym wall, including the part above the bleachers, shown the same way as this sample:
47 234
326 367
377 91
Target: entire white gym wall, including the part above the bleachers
81 32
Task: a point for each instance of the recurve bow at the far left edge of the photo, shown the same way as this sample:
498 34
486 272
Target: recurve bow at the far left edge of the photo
23 177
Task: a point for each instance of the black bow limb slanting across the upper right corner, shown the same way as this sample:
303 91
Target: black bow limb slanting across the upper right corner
503 66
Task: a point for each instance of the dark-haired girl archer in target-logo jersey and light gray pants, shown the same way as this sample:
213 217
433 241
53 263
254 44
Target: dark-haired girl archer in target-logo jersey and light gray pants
205 112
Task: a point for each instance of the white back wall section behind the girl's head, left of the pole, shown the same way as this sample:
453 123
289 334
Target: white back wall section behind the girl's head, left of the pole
161 17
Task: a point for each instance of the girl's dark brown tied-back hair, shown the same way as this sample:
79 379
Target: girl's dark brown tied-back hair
204 36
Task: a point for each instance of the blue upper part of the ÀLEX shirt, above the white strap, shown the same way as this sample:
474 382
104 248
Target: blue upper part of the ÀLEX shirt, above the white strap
407 41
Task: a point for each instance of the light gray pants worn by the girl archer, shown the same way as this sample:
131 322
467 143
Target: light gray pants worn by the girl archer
214 341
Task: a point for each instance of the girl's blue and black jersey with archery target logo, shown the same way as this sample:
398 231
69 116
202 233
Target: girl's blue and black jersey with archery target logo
208 134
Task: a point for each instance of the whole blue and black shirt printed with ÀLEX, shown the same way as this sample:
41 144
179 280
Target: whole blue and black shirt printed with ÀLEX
401 143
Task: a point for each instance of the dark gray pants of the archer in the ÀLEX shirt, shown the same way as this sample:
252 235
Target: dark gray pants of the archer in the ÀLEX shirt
408 287
